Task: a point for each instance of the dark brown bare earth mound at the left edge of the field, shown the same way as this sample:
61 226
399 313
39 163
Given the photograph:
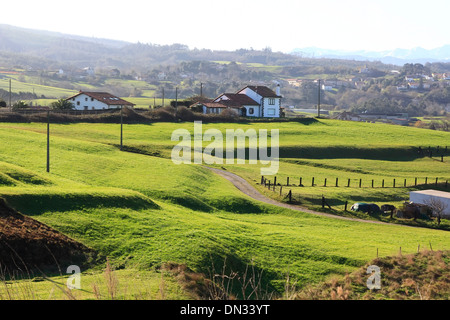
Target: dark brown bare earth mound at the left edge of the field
27 245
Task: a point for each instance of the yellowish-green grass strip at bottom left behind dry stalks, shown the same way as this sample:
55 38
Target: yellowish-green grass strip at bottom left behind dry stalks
97 285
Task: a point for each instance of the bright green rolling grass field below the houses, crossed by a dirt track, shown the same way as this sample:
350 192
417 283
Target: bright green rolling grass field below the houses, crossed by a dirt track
143 211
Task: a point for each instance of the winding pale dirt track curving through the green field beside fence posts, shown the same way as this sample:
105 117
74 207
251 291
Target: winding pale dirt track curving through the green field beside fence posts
249 190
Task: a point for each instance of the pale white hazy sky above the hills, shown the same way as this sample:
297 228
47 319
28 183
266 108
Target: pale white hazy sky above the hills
233 24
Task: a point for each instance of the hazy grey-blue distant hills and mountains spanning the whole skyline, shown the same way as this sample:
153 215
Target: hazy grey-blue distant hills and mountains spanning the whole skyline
44 49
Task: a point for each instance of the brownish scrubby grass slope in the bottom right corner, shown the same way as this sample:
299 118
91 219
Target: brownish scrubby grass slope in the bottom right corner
421 276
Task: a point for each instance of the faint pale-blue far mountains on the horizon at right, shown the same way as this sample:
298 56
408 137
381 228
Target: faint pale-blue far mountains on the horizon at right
397 56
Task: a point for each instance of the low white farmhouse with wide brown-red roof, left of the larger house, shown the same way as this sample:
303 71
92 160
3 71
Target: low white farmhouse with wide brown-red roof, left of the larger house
97 101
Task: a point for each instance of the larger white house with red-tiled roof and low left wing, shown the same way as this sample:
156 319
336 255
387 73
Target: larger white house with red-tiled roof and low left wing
251 101
